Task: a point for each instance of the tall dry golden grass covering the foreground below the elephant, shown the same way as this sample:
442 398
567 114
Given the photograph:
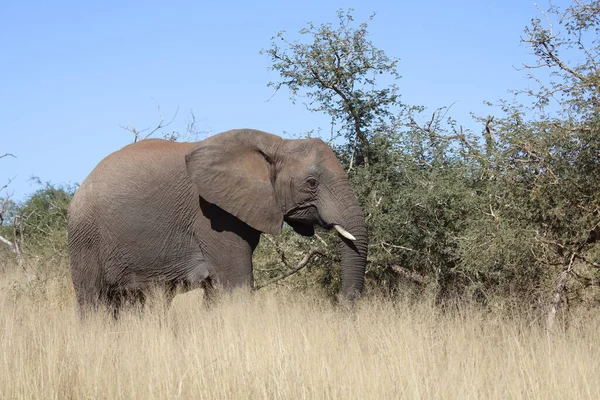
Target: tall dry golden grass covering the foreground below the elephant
285 346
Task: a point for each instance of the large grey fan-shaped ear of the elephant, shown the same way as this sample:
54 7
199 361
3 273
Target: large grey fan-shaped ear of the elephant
234 170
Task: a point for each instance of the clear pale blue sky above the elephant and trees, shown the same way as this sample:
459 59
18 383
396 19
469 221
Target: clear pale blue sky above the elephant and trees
72 72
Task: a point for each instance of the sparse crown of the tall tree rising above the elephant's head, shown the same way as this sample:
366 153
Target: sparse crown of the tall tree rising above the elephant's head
337 69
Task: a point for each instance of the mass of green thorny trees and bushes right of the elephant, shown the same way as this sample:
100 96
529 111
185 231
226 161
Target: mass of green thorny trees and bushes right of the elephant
509 215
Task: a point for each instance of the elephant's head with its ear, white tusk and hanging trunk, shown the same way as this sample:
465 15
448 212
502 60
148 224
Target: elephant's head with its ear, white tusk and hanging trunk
265 180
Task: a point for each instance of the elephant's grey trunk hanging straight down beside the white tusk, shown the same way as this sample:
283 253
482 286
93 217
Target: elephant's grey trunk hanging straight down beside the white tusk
353 252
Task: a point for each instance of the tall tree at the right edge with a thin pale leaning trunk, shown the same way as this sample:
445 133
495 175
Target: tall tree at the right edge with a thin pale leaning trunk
563 153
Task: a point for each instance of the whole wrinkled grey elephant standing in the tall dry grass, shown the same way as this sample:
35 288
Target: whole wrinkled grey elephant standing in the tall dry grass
188 215
